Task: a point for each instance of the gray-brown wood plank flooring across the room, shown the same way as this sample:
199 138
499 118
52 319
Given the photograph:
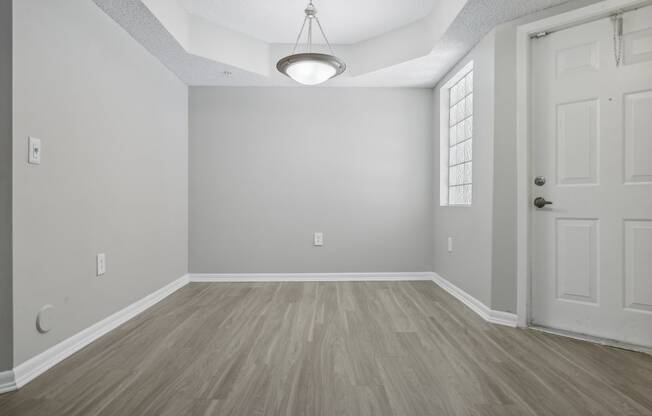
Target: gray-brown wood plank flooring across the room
353 348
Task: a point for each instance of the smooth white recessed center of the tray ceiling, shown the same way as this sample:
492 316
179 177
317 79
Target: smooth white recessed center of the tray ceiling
279 21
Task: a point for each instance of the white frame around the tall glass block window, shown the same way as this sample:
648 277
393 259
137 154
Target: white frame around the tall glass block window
444 135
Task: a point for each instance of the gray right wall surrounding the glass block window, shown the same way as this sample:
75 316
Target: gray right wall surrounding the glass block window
469 265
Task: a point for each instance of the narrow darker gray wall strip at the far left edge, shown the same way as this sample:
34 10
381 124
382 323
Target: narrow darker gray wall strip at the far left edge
6 328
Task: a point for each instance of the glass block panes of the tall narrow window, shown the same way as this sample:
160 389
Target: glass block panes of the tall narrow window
460 140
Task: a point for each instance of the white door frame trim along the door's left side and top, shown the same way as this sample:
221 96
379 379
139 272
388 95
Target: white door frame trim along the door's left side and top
523 36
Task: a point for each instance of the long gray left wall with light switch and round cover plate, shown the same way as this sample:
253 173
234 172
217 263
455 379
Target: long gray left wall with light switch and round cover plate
113 179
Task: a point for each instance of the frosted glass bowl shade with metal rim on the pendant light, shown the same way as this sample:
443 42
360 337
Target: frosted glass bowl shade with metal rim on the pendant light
311 68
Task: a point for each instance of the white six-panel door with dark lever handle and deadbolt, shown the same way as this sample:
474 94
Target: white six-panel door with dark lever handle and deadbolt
592 142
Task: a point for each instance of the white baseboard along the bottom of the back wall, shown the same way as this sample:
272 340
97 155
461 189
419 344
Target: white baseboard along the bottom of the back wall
307 277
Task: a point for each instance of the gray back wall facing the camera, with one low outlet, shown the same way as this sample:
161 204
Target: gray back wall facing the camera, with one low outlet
270 166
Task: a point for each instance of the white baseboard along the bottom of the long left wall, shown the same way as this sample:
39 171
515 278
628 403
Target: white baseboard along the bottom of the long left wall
27 371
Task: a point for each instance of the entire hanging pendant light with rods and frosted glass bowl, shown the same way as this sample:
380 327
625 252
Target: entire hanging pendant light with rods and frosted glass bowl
311 68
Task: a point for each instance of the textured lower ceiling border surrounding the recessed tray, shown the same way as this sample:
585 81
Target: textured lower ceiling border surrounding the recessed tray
475 20
